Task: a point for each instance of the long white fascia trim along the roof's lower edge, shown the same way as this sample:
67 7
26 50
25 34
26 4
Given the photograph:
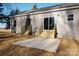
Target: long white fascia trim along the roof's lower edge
53 10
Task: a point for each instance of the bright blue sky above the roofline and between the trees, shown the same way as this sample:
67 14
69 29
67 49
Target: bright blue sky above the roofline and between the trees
23 7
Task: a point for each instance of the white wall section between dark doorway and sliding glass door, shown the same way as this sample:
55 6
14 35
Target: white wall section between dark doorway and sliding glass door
38 20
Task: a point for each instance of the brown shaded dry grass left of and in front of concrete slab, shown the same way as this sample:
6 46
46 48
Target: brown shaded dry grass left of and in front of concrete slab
8 49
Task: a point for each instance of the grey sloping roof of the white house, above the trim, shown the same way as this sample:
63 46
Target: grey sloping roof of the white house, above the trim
64 5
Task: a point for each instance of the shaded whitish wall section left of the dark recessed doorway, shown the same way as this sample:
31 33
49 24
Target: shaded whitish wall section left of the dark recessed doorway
20 23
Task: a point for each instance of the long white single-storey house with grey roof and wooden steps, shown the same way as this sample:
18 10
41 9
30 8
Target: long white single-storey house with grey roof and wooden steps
54 21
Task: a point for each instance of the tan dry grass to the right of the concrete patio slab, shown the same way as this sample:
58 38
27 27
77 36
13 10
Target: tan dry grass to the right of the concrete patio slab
68 47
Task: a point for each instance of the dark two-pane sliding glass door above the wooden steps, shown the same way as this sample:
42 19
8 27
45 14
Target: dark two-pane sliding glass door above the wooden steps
49 23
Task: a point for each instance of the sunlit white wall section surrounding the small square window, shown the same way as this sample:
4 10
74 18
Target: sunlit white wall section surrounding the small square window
67 28
